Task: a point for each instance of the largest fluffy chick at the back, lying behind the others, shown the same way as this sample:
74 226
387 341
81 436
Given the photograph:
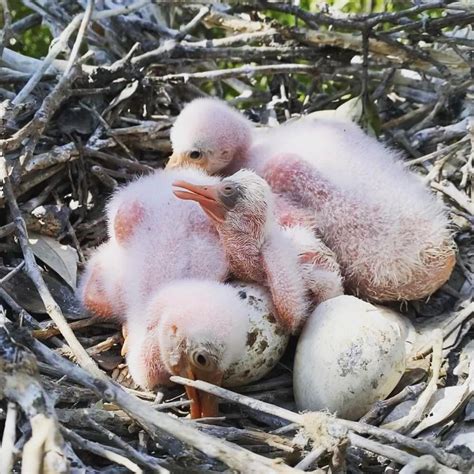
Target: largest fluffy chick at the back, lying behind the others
389 234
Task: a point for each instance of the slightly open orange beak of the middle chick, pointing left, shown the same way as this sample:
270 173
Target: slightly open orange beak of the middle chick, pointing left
206 196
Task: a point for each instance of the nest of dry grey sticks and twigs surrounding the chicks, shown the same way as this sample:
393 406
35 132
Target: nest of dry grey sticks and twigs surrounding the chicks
96 112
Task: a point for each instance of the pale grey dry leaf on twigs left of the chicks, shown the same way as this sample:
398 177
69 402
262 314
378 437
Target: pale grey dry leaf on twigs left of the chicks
60 258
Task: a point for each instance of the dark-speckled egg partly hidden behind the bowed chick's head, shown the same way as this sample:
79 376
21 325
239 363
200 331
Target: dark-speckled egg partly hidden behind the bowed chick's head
266 340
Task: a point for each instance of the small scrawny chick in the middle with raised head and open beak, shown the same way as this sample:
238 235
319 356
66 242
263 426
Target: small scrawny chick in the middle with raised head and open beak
289 261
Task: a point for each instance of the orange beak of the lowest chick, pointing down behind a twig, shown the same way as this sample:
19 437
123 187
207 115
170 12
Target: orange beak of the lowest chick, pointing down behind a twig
202 404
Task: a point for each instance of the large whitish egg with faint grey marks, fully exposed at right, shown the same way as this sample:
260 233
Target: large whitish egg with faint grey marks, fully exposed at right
349 355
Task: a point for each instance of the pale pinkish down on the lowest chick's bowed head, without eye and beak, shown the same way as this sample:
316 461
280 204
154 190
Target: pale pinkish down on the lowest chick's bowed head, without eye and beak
186 315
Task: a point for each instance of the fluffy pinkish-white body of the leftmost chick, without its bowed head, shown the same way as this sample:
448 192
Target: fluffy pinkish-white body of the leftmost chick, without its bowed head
154 239
